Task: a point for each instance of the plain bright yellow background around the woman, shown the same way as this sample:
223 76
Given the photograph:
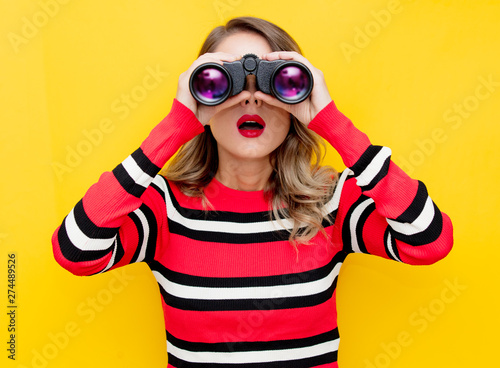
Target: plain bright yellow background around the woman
401 70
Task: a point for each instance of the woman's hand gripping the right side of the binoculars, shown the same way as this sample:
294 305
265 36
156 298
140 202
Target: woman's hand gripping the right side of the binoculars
306 110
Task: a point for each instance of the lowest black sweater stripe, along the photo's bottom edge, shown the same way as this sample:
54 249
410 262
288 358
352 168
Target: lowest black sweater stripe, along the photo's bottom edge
299 363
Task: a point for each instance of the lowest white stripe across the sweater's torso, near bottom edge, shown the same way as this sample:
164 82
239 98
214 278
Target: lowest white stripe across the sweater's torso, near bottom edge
264 356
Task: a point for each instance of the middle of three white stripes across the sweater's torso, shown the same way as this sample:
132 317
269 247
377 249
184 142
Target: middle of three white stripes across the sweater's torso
260 292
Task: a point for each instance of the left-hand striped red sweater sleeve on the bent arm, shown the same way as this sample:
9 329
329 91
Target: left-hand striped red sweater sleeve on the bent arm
120 218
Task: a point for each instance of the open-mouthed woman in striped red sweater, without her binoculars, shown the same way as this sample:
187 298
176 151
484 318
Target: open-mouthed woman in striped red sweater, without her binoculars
243 234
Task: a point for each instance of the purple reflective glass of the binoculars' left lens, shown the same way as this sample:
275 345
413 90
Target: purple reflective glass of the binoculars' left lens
210 84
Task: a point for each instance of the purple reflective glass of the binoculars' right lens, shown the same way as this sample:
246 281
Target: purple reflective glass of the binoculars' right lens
291 83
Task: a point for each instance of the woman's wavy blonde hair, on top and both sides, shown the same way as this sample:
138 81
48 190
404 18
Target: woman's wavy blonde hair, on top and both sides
298 186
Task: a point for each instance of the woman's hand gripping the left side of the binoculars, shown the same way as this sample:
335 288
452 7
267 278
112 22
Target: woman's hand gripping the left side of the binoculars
202 112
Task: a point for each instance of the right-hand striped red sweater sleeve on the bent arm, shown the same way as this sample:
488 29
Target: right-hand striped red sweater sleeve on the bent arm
382 210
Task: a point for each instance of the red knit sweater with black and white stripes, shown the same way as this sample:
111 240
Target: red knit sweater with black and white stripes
235 293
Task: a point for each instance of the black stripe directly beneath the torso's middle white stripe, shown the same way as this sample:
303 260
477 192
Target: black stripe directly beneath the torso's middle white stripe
248 304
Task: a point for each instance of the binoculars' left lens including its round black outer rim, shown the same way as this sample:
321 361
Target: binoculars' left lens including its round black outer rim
210 84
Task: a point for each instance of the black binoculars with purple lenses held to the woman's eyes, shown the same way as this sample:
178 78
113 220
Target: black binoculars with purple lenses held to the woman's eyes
289 81
